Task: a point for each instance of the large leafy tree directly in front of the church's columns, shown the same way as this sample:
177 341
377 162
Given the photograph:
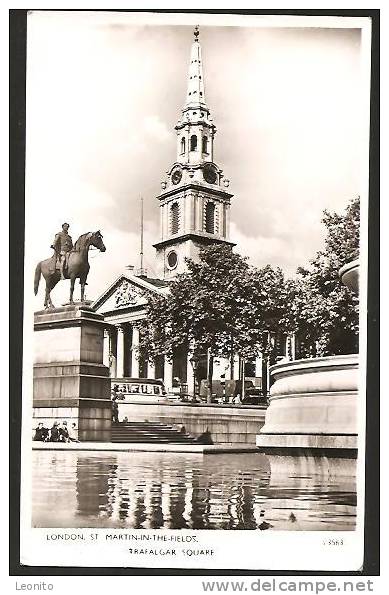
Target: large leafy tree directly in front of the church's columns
221 306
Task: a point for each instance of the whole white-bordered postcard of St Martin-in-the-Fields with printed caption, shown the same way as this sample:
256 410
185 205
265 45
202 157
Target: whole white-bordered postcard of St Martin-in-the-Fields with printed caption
195 290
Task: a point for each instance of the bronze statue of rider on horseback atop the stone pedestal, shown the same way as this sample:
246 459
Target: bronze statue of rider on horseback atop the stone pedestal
67 262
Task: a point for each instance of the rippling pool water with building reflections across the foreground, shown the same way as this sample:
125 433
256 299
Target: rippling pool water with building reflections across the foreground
176 491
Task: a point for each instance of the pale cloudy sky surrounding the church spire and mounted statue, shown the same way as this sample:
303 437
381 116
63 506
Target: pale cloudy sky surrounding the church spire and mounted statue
104 92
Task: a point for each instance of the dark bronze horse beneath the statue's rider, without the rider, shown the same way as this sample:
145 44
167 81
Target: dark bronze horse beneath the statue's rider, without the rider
77 267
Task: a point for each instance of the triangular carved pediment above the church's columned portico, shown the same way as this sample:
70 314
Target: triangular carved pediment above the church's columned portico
127 291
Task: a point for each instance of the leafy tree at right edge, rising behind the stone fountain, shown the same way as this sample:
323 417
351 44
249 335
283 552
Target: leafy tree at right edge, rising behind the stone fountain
323 312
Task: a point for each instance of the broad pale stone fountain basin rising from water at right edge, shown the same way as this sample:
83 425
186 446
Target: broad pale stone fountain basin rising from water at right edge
313 404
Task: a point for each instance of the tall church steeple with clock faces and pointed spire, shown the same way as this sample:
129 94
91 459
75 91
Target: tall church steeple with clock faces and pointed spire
194 202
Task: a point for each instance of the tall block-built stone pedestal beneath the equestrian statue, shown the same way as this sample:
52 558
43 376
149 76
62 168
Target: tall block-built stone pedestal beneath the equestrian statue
70 381
